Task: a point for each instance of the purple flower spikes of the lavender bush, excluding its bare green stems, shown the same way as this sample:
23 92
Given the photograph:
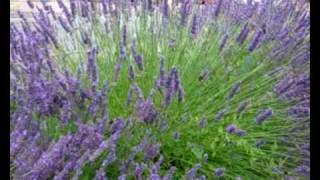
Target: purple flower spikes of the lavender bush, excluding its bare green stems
42 91
